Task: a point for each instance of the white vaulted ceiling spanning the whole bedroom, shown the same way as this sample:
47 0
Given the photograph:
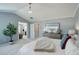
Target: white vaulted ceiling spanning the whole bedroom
41 11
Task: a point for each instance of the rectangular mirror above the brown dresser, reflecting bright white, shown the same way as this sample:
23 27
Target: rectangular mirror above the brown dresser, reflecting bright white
52 28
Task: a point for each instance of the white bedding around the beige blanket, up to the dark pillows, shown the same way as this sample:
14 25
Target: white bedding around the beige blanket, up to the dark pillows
28 49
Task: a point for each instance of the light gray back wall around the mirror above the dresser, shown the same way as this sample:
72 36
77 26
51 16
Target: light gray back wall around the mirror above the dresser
65 24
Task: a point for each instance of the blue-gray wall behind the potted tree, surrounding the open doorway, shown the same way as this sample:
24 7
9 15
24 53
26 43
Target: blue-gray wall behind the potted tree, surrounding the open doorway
5 18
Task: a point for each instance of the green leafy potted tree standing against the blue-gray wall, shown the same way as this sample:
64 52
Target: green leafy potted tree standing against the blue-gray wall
10 31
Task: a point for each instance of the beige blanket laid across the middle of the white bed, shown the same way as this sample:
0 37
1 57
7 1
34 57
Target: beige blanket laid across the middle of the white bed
44 44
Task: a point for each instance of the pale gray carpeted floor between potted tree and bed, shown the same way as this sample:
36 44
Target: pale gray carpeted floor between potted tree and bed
7 49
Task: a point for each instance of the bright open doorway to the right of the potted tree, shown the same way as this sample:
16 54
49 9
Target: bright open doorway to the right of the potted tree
22 30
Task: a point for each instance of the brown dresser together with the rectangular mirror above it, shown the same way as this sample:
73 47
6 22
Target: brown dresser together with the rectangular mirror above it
52 30
